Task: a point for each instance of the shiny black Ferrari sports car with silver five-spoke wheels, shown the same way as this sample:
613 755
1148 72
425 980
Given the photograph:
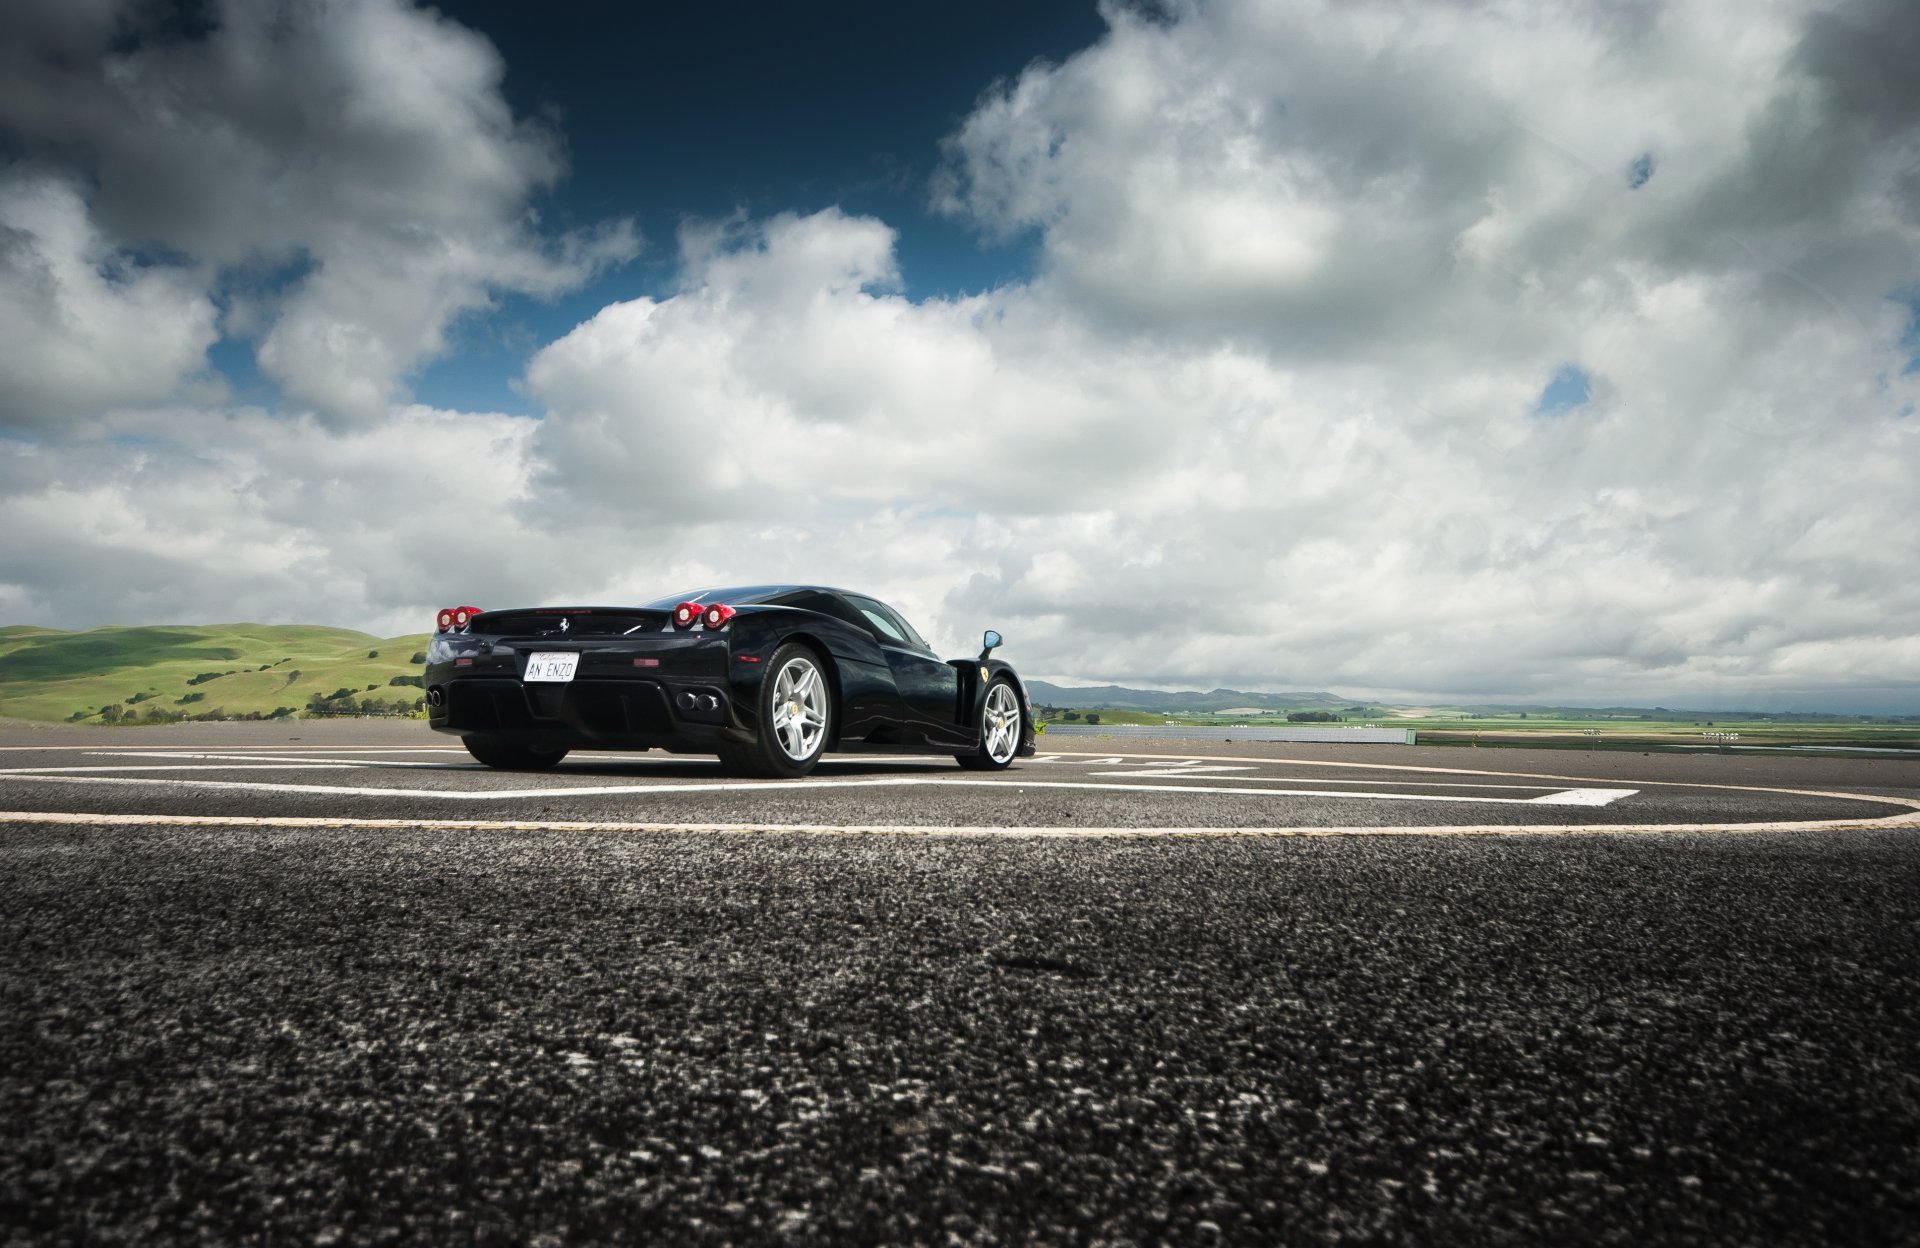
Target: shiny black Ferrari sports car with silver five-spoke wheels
765 677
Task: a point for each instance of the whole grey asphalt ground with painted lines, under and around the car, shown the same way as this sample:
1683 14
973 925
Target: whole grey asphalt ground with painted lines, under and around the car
347 990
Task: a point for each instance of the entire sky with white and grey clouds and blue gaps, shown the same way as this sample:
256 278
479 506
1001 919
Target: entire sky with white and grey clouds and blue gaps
1497 350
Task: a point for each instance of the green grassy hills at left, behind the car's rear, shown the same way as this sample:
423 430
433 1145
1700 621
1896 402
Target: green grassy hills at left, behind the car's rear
199 671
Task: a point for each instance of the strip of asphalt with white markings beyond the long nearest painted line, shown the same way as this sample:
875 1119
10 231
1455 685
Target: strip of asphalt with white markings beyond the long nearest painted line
352 771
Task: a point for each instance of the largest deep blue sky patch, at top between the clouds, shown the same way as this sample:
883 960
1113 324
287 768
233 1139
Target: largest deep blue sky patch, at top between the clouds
769 139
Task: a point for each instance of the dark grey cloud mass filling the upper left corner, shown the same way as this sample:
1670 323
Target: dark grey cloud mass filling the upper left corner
362 147
